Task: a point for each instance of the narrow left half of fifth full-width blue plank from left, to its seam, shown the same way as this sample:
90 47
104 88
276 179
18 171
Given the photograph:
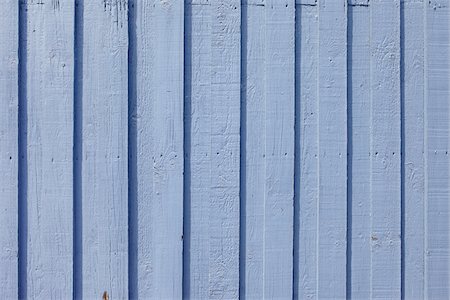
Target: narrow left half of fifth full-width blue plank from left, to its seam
255 141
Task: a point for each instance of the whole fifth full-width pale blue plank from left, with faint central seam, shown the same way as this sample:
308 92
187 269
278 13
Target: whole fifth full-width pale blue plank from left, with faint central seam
269 99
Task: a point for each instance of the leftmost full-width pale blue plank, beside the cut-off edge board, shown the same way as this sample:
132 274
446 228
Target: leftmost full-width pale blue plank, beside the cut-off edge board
49 79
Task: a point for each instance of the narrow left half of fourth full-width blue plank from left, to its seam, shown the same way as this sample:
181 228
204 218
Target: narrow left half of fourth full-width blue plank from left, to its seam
198 99
